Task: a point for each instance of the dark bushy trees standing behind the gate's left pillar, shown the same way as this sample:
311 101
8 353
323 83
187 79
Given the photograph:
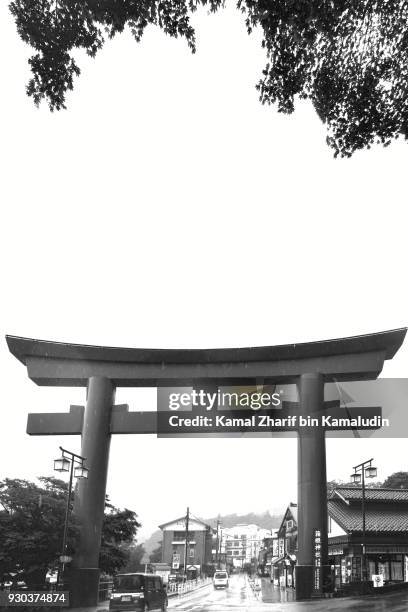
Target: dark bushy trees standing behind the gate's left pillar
32 520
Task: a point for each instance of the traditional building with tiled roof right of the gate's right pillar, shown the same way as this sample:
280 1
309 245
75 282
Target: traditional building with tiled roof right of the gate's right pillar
386 533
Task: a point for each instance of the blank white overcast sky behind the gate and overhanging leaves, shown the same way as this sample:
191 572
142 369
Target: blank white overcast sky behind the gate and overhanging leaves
167 208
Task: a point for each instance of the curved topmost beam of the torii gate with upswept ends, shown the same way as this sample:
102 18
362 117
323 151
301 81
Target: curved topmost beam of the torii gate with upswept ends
63 364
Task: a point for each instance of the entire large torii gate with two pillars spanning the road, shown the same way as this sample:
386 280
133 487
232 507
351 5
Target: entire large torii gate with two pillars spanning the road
102 369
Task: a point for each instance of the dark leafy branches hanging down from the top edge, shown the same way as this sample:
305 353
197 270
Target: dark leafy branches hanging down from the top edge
348 57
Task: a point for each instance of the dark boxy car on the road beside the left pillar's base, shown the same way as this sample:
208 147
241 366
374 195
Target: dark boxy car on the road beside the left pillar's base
138 592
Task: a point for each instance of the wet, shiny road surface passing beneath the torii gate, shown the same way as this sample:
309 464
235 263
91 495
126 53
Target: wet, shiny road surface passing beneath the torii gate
240 597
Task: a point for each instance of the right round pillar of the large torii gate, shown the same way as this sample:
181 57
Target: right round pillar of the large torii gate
312 486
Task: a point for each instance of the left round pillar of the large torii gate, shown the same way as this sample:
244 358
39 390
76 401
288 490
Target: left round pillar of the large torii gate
90 494
